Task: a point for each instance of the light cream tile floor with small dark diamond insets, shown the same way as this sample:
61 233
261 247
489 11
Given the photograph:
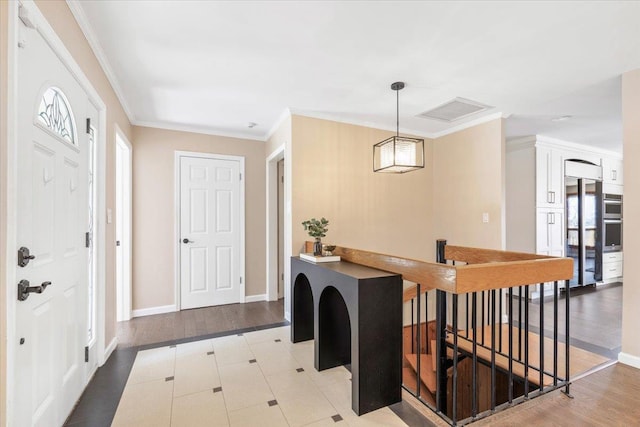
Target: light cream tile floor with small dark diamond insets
254 379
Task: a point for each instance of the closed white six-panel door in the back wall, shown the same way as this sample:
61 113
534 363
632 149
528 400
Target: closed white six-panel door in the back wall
210 231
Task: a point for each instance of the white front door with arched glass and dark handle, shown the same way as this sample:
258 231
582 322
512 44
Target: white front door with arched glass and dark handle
52 209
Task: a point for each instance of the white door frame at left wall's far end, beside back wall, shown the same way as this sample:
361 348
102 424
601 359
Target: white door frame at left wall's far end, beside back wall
124 302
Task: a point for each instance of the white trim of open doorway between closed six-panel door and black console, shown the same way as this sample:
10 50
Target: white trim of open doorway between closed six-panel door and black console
272 222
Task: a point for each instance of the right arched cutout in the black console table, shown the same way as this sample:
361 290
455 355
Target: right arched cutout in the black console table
334 330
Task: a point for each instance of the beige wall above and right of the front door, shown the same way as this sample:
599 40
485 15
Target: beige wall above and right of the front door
65 25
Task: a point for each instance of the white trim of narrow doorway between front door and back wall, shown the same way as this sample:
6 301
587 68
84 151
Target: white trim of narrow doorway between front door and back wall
126 239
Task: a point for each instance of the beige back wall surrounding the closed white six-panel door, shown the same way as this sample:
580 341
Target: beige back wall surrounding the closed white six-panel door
154 210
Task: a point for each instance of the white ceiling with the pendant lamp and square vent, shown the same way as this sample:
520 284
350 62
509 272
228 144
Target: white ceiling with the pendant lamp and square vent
215 66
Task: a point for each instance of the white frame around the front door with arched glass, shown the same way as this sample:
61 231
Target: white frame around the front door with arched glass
58 47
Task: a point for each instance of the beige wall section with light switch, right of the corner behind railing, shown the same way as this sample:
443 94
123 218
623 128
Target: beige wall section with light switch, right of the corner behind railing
468 178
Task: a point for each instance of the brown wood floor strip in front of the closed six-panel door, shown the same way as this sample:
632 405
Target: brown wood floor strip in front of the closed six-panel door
198 322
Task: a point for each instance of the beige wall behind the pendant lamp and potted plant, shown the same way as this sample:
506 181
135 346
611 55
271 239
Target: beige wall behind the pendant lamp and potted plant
332 176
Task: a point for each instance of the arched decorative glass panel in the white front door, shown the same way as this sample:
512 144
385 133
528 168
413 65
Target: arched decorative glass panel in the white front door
55 113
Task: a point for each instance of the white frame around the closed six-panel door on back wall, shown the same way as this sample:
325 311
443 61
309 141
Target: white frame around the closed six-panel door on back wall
178 155
